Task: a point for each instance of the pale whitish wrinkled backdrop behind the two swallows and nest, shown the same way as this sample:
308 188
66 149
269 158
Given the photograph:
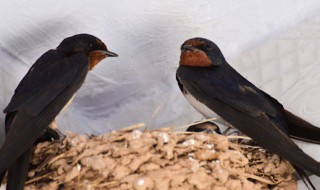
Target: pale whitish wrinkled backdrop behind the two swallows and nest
273 44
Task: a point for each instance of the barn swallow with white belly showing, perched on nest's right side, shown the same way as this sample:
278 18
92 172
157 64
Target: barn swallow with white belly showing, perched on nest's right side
215 89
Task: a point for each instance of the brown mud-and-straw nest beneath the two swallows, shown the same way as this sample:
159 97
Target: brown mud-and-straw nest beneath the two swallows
156 159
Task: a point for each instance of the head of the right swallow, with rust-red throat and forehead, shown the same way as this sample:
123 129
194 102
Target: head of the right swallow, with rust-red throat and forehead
200 52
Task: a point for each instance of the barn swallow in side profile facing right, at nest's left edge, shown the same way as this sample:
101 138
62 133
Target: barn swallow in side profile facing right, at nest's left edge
45 90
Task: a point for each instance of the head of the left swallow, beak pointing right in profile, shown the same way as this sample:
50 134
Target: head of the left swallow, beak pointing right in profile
86 44
